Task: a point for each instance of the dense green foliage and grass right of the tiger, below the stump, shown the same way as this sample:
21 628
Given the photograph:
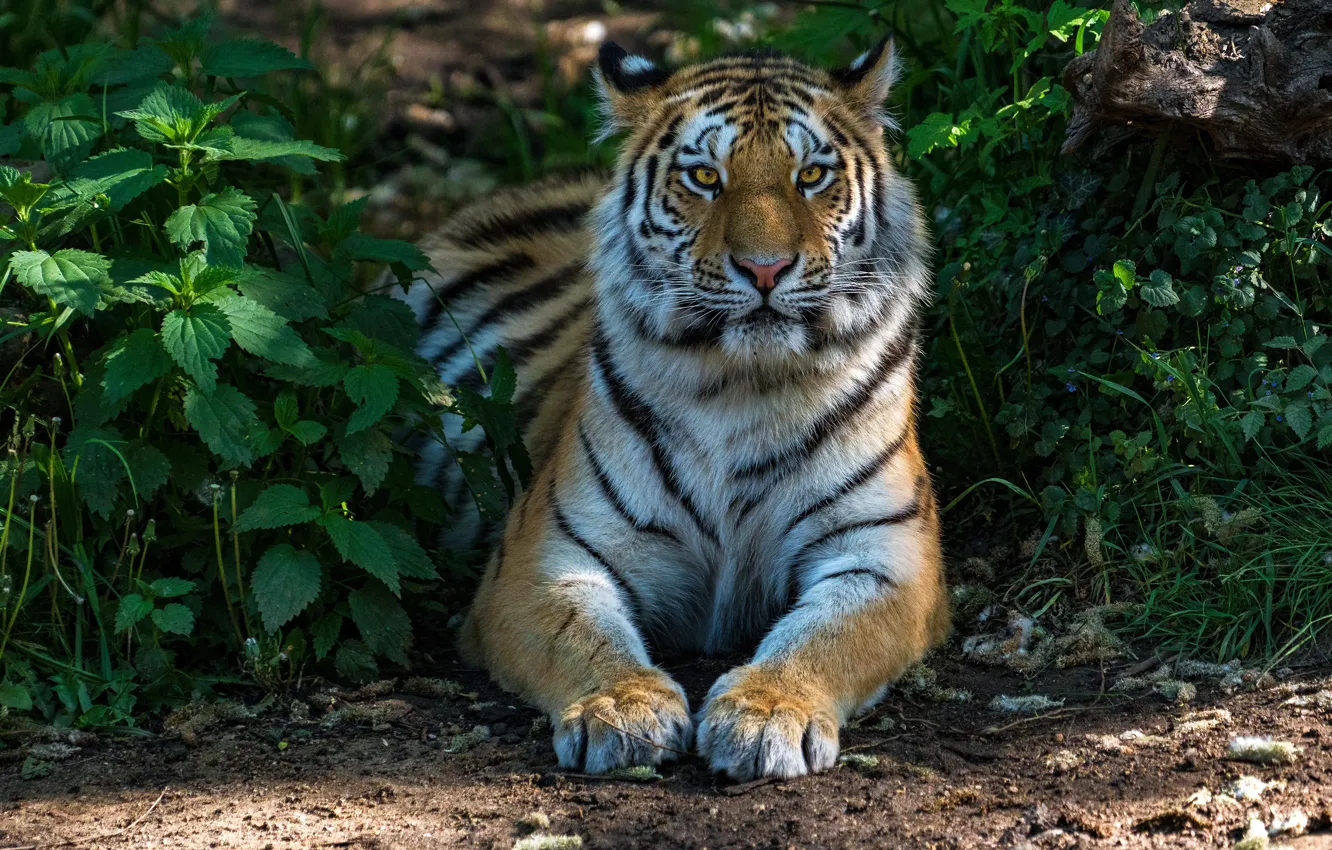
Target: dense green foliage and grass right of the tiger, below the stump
1134 339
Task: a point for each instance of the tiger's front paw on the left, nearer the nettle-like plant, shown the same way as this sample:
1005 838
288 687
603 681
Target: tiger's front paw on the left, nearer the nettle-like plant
639 720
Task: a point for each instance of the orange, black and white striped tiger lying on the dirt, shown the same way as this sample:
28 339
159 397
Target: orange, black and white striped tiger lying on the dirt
716 352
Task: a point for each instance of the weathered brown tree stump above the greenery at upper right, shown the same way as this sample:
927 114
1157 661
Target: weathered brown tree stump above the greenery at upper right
1255 77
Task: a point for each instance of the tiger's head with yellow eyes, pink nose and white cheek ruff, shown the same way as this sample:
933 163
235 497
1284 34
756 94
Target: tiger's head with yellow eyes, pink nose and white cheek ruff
756 209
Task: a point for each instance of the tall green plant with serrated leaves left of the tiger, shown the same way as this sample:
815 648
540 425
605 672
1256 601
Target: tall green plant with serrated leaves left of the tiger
204 410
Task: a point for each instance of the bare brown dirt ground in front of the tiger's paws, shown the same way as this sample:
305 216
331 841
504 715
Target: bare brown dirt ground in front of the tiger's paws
375 769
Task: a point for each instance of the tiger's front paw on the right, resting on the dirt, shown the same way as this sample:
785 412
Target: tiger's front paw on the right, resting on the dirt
755 724
